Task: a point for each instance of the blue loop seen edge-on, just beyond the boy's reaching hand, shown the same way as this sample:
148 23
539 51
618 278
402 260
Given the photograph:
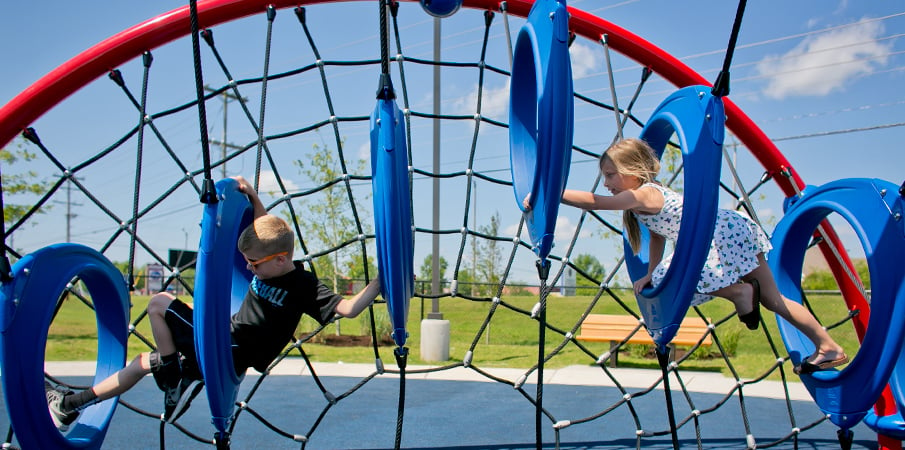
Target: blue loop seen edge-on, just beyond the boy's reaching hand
392 213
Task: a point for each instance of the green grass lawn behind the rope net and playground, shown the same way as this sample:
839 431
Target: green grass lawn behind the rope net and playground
510 339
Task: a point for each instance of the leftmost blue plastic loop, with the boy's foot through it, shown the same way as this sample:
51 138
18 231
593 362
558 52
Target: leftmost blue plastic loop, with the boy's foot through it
28 305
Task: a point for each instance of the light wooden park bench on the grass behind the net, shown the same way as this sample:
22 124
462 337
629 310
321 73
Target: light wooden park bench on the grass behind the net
620 329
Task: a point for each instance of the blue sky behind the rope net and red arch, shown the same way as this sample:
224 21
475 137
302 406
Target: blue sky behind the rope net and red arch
823 79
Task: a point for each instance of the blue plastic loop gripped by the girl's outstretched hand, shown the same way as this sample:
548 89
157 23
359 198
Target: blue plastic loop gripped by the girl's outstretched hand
541 119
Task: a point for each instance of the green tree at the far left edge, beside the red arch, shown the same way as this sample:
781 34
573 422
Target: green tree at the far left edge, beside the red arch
19 183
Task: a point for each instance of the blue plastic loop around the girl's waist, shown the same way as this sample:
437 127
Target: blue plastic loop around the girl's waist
697 118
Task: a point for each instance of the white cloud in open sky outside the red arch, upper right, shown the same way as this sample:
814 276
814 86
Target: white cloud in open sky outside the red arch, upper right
823 64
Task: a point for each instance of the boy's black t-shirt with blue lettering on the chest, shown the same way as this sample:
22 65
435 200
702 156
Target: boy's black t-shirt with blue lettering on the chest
270 313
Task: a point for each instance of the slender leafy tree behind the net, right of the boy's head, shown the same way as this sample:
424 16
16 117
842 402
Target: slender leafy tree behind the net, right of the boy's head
327 221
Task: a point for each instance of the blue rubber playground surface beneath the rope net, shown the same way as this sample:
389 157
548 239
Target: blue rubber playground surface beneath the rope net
457 413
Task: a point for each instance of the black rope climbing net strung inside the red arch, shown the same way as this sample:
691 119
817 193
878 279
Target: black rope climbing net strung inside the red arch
309 162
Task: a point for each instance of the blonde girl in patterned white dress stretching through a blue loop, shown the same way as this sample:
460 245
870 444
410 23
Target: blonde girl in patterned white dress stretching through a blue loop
735 268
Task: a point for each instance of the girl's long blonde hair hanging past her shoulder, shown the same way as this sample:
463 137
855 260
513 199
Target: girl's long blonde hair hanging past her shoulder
636 158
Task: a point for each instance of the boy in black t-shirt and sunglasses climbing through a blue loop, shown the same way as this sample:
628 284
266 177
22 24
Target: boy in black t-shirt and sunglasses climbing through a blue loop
280 292
